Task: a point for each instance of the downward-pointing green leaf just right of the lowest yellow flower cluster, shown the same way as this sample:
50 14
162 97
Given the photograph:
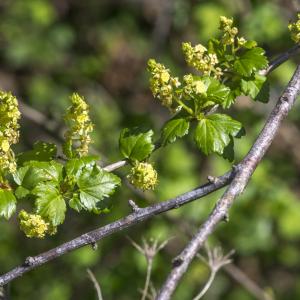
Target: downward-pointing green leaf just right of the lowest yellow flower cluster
50 203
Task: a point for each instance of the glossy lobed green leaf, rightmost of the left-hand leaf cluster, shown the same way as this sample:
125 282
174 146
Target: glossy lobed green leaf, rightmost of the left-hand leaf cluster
95 185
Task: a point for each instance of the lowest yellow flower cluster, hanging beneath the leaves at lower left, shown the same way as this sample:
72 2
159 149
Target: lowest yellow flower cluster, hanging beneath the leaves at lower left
34 226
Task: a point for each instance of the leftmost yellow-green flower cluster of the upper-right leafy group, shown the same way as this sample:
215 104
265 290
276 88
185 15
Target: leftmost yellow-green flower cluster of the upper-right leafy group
162 84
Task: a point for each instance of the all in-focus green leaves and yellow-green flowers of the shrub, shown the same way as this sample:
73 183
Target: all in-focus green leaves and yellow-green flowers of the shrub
221 71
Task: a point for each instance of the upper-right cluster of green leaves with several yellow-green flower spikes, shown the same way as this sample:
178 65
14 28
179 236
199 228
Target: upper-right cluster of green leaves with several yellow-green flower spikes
227 68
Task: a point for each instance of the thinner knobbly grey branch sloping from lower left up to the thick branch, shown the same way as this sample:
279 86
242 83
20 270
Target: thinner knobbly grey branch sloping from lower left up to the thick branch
134 218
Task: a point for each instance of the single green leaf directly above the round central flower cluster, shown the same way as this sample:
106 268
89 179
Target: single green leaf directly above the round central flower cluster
135 144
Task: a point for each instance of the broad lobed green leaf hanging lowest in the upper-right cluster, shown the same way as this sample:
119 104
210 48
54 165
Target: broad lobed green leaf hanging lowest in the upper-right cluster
213 133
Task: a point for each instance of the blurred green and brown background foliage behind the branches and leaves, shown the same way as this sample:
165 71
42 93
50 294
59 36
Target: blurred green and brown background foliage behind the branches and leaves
99 48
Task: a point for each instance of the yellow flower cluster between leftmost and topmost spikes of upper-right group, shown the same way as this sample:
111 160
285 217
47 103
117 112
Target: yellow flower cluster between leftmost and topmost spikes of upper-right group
198 58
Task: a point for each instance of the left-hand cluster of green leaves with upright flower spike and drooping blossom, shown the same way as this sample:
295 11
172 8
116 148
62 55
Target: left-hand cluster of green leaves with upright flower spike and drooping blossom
42 179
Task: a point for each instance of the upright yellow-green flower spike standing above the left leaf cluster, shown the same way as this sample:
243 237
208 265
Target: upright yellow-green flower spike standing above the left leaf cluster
77 138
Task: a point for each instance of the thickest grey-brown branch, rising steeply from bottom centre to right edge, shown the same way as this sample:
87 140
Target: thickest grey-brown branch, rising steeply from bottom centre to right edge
244 172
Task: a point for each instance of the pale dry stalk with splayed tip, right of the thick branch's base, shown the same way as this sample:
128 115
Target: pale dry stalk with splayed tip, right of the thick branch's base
215 261
